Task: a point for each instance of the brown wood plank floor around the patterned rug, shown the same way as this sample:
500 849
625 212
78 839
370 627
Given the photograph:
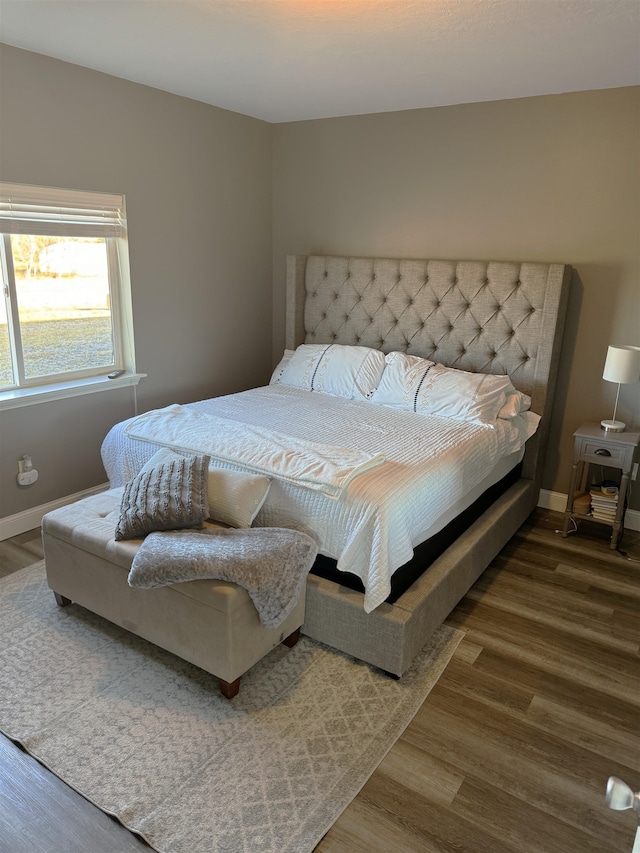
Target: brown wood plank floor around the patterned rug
512 749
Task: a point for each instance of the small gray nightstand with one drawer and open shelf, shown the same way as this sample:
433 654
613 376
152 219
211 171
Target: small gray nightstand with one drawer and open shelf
594 446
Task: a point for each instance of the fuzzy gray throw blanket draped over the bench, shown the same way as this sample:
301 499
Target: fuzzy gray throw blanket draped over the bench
271 563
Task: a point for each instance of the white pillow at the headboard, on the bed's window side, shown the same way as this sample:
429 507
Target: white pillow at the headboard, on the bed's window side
344 371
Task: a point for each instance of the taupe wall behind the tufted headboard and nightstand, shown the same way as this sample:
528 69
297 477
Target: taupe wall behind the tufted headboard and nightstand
552 178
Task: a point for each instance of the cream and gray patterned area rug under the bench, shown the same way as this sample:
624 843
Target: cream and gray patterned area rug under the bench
150 740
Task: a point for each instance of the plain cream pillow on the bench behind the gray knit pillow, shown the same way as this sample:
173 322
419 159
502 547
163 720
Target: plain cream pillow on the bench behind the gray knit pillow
235 497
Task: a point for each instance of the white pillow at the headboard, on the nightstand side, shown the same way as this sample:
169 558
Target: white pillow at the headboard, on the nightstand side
419 385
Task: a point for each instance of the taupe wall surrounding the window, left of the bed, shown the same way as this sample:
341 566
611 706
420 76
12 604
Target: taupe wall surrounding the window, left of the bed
197 182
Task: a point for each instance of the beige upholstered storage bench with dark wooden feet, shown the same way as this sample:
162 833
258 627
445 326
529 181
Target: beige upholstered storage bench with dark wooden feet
210 623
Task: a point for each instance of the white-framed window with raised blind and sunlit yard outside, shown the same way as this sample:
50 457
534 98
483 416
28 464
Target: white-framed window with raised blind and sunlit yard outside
66 312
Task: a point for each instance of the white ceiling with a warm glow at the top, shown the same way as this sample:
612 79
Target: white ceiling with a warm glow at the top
289 60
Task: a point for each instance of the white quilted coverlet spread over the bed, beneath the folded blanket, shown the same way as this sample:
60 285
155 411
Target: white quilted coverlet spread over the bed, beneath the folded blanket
431 463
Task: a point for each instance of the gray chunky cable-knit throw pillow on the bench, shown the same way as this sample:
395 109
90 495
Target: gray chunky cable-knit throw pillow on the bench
168 495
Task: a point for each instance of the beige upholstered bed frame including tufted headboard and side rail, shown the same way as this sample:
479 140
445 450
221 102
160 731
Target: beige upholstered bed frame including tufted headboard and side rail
492 317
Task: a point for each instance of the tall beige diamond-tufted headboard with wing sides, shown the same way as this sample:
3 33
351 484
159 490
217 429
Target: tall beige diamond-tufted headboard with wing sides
482 316
